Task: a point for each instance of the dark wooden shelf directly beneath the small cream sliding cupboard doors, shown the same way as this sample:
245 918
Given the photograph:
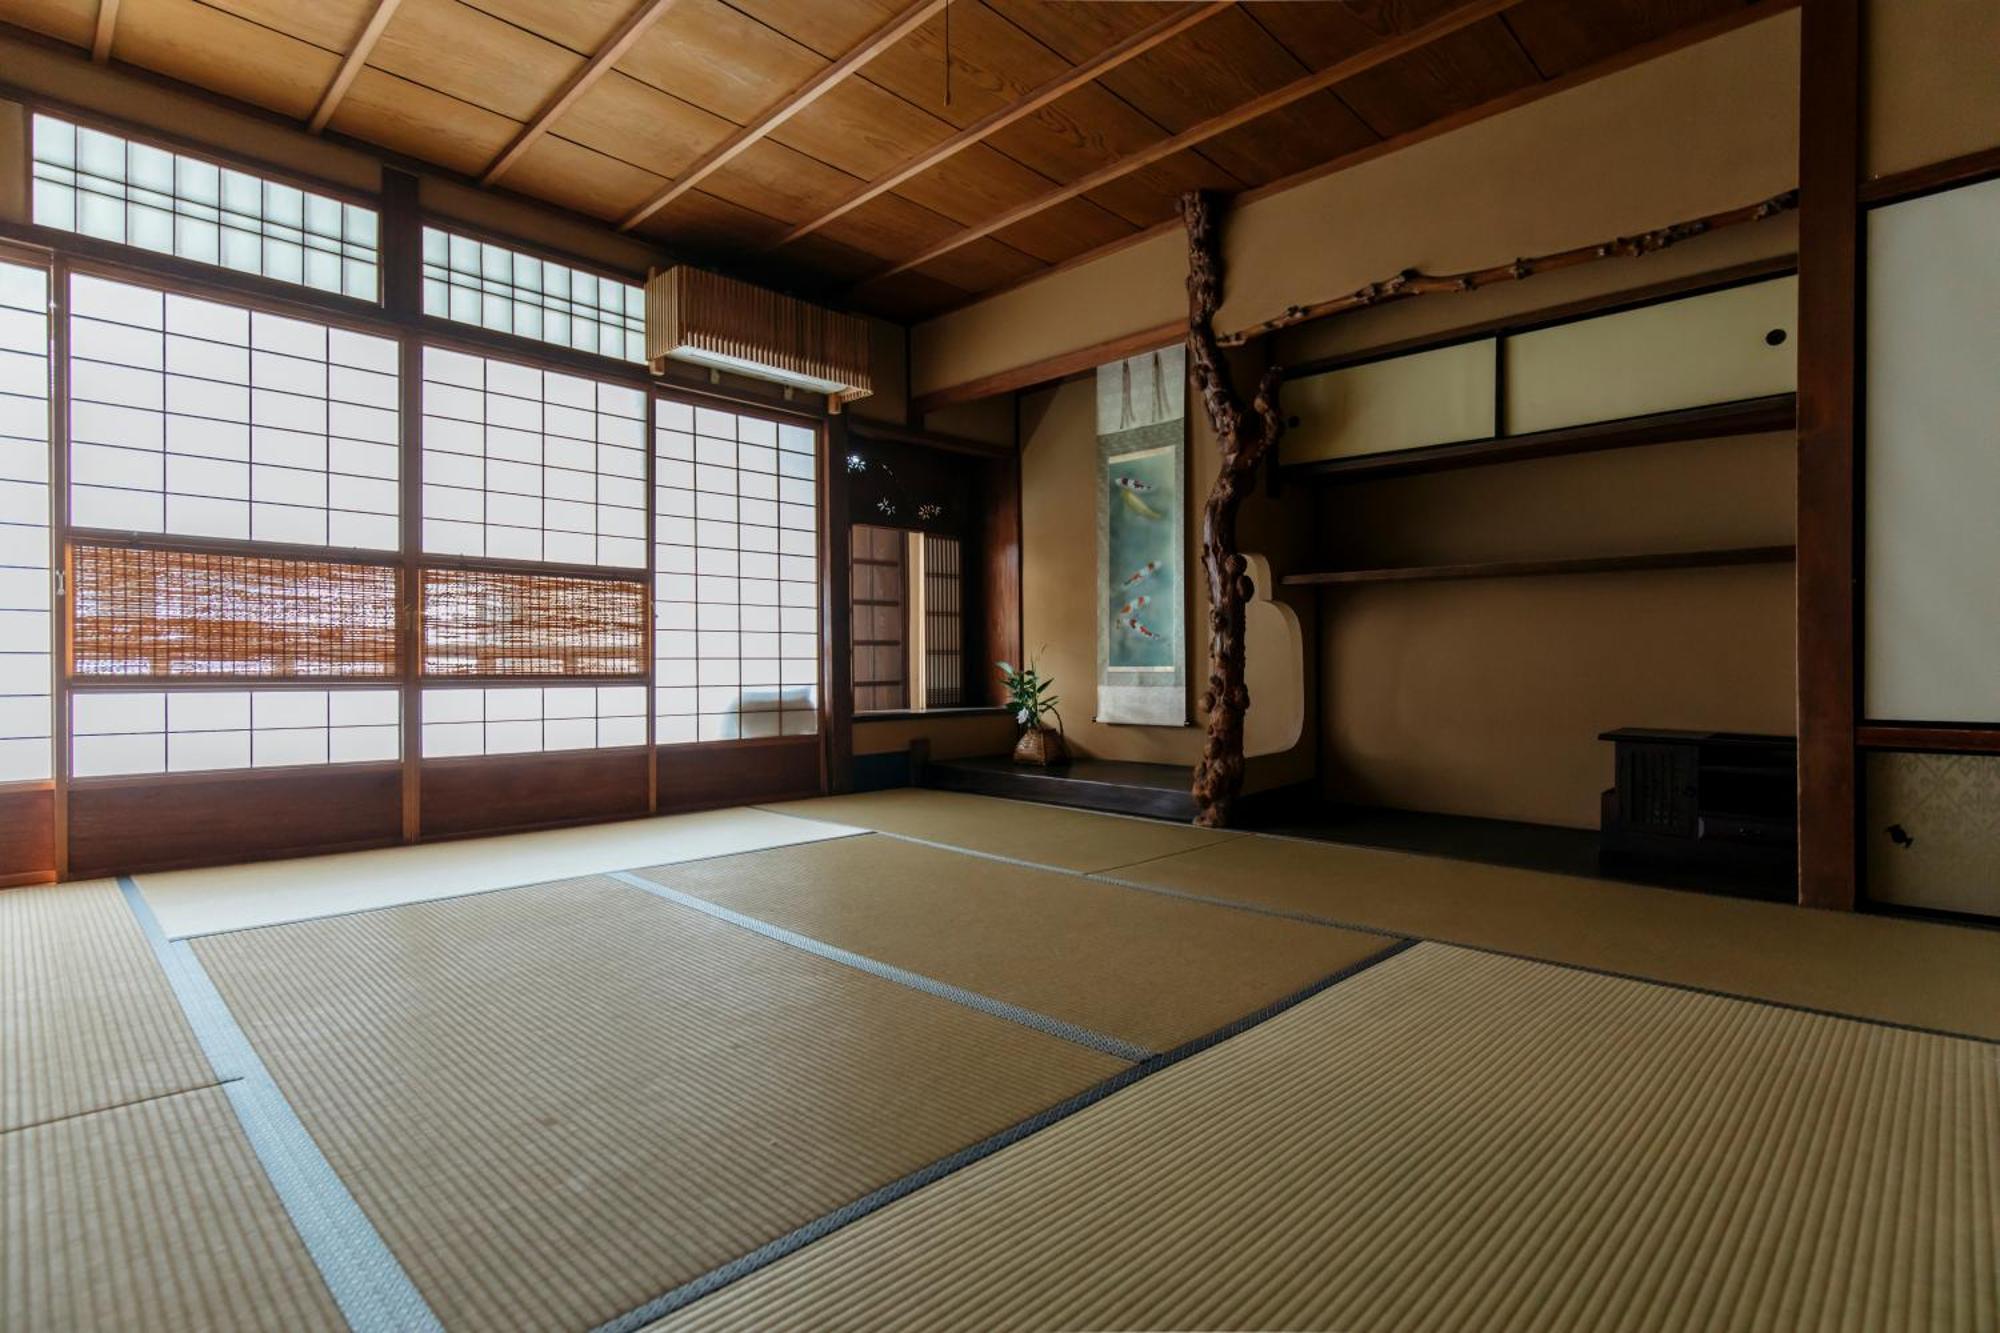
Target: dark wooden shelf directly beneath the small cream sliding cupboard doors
1703 423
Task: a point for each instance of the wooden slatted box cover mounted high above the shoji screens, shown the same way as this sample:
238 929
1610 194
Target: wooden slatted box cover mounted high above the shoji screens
713 321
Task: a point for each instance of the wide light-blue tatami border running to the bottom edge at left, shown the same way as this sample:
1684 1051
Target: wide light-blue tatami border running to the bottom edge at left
371 1288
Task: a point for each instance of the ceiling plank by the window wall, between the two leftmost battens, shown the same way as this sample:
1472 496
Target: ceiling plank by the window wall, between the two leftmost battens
225 53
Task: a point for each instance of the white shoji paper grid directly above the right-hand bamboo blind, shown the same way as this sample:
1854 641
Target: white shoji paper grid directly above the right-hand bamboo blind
533 465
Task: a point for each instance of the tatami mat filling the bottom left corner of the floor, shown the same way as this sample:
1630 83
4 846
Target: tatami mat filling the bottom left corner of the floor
153 1216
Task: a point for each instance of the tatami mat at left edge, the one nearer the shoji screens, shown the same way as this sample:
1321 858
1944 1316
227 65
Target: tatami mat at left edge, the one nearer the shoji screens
87 1018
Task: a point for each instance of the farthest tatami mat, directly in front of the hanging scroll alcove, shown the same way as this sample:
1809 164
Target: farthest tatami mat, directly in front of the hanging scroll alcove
1015 830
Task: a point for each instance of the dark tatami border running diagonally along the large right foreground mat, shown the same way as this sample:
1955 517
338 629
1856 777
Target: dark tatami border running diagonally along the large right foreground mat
877 1200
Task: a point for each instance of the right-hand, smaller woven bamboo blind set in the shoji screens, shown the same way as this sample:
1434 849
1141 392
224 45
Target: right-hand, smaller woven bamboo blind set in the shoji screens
497 623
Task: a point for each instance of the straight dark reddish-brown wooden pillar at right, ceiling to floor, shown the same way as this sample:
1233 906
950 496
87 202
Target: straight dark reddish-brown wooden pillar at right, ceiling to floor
1829 357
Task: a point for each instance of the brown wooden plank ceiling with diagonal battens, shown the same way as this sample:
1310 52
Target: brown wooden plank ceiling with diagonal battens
831 143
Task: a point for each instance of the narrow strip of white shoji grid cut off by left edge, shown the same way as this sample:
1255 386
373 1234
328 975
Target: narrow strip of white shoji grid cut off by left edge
25 583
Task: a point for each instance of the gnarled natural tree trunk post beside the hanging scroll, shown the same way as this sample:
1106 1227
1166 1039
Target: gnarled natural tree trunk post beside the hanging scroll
1243 435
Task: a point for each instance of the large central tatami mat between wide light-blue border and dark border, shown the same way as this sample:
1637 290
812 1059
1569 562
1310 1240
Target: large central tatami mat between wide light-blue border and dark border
557 1104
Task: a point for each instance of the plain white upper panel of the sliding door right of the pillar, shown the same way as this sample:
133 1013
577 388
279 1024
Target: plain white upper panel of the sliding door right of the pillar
1933 459
